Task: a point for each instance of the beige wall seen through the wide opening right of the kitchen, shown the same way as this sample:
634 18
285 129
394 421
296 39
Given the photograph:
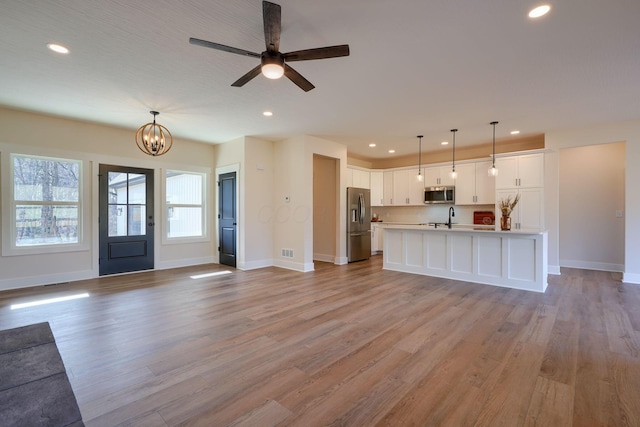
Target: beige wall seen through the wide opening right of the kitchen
591 189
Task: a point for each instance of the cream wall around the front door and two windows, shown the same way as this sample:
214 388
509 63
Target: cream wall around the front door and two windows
35 134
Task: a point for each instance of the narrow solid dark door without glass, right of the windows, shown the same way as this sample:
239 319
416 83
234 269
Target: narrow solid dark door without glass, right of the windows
227 218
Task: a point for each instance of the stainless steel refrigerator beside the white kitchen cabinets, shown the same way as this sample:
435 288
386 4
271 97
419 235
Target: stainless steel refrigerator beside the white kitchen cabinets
358 224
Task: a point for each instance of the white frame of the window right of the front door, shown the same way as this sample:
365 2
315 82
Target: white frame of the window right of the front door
166 239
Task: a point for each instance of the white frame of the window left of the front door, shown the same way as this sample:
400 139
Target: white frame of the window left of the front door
9 229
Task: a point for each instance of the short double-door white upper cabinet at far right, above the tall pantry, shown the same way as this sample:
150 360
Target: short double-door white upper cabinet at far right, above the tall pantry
526 171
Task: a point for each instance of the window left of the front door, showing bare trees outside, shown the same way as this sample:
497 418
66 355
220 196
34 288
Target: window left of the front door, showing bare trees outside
46 201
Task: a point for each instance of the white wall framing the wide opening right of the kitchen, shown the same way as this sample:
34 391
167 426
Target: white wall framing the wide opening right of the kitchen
628 132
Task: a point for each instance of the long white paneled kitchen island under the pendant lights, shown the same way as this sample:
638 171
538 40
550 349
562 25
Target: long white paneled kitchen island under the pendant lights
514 259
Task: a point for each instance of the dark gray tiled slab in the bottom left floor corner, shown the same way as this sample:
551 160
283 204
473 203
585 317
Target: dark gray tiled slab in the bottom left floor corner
34 387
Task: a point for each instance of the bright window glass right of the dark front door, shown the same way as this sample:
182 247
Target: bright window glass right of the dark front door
185 206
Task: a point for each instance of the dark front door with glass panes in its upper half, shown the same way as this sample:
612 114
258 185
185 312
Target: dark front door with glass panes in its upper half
126 219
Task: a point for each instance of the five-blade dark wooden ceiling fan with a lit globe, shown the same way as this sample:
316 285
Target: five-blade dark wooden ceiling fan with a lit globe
273 63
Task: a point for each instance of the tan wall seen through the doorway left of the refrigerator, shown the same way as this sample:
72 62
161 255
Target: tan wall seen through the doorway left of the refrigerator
324 208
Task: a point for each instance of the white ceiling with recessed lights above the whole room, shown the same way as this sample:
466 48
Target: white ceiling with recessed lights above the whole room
416 67
